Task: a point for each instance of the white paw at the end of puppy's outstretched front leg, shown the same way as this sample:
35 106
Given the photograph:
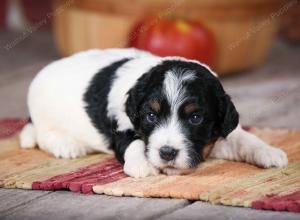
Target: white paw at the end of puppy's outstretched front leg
270 157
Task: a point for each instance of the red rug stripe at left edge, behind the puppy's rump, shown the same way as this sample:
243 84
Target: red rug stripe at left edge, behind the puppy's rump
9 127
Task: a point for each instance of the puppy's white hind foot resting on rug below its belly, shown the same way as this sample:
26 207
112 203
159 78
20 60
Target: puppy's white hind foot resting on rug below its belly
61 145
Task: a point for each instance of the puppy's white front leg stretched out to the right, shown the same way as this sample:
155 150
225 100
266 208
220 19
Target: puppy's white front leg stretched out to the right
241 145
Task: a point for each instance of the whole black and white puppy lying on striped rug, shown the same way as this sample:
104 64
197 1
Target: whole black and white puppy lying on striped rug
155 114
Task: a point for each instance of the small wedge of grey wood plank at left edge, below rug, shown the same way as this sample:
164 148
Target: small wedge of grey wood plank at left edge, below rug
11 198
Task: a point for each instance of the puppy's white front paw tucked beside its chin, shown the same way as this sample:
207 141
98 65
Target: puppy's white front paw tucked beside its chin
139 169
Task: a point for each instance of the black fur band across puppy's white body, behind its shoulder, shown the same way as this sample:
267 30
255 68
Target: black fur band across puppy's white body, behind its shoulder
96 98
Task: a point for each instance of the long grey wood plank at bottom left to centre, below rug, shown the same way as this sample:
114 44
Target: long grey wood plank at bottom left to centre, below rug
66 205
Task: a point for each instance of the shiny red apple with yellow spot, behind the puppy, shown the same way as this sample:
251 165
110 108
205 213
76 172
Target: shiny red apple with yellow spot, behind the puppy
166 37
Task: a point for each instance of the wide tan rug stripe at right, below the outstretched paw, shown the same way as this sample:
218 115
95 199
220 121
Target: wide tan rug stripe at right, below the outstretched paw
248 189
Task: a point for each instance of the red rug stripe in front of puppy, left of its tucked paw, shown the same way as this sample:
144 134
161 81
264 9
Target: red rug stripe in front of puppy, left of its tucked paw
83 179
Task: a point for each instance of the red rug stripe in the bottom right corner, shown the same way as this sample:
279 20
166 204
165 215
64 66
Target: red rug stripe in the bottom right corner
290 202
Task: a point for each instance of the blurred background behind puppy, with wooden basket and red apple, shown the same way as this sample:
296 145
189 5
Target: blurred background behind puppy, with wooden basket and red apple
253 45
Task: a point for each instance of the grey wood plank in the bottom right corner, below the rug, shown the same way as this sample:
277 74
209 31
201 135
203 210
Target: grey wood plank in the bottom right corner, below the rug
202 210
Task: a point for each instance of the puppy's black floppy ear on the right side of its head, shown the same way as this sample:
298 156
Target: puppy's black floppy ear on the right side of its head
228 116
